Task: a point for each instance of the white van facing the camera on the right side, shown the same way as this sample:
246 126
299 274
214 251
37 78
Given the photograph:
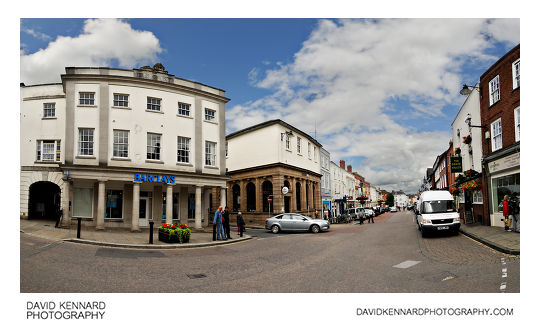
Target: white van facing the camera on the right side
437 212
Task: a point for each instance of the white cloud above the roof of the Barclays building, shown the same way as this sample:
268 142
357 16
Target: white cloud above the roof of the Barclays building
101 42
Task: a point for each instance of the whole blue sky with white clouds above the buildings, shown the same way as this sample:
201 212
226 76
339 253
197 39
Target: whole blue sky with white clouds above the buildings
380 94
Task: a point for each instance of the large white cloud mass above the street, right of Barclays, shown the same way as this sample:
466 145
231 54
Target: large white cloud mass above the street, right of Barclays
350 69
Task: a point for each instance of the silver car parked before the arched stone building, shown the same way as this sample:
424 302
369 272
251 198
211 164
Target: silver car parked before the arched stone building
295 222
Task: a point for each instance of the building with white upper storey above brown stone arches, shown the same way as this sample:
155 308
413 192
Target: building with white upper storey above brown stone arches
273 167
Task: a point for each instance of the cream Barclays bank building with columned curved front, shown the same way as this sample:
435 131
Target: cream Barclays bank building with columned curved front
120 148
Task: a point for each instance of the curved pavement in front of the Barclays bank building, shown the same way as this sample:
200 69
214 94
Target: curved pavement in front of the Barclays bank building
121 237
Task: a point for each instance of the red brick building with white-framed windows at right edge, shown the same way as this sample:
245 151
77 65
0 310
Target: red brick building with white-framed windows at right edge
500 118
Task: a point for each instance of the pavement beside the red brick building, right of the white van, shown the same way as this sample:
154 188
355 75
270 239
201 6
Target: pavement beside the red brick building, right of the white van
494 237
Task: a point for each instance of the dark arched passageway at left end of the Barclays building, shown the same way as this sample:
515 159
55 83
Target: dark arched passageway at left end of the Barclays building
44 201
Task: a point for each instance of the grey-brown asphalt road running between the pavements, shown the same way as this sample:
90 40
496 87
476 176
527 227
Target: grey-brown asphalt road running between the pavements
388 256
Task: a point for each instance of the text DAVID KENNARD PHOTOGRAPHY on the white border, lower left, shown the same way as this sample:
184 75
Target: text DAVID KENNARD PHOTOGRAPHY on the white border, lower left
65 310
